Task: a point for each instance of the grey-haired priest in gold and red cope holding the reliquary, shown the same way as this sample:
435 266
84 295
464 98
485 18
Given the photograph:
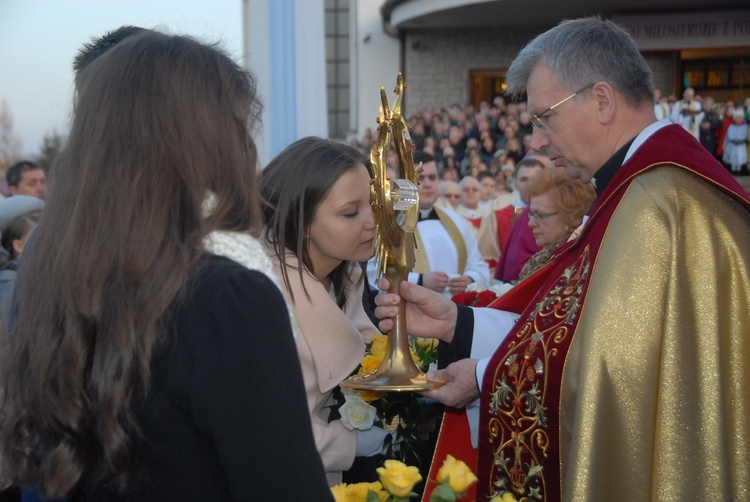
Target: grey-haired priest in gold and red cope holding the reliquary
625 376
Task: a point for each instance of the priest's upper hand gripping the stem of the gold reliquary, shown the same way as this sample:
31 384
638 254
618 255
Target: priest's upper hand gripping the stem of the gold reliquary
428 314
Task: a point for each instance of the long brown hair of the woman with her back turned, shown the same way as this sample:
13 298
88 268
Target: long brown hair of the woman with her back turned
160 122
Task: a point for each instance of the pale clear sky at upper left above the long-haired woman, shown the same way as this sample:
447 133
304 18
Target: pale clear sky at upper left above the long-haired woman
40 38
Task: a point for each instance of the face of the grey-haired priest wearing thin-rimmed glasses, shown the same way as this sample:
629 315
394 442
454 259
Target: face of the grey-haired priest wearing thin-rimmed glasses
570 131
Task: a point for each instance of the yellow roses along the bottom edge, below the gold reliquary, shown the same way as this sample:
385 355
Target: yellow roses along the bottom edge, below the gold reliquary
397 481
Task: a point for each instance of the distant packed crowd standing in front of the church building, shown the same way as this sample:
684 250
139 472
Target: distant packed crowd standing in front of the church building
493 137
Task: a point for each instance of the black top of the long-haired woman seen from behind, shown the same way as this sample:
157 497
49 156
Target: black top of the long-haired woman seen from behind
226 415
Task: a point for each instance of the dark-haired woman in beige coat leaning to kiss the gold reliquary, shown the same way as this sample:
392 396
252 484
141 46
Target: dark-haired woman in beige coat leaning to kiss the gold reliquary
318 214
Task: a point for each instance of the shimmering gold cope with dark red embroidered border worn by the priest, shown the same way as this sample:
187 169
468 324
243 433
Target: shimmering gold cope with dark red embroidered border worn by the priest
627 377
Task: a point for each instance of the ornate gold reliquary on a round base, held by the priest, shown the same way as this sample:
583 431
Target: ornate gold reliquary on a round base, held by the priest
395 203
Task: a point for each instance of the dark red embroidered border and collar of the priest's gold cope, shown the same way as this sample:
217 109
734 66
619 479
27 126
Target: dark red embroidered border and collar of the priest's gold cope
519 436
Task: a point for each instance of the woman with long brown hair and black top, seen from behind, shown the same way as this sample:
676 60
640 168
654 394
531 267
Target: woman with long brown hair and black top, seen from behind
144 365
